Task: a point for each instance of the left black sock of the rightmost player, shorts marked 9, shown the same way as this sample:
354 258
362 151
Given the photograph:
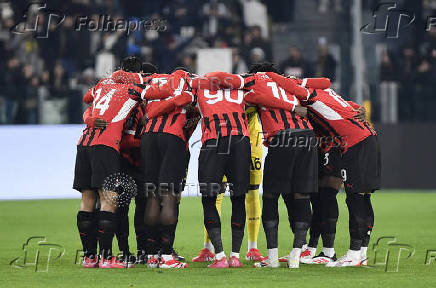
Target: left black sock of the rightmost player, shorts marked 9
357 221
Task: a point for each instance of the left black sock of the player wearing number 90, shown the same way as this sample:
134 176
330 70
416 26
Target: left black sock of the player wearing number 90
212 222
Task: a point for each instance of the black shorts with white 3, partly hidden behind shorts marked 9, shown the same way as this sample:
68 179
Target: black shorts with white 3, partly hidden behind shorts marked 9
330 163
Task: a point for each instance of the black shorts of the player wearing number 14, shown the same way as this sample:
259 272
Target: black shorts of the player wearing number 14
93 165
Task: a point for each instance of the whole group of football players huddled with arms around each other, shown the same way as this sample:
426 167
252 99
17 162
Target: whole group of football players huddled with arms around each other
139 123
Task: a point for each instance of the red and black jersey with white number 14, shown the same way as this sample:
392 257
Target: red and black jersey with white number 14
111 102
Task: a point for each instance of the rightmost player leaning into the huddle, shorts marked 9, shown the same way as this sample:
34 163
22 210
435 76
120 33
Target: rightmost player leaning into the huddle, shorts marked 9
334 117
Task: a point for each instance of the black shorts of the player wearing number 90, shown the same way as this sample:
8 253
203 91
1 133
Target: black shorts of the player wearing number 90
229 156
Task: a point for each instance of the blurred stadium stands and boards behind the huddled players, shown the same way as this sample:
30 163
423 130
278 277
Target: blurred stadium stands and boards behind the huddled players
43 78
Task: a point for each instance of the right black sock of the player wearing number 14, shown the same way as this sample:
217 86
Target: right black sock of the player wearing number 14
106 229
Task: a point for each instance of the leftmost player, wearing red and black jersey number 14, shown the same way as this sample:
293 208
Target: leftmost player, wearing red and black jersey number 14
97 160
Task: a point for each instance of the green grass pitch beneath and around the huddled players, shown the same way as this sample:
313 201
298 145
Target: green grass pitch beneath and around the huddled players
408 216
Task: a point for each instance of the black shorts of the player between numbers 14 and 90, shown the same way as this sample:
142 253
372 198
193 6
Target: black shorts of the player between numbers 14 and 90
164 160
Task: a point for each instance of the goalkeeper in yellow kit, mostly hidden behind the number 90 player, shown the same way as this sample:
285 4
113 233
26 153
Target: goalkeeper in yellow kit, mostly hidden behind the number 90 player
252 204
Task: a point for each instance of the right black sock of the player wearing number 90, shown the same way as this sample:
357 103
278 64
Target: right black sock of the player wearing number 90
238 221
